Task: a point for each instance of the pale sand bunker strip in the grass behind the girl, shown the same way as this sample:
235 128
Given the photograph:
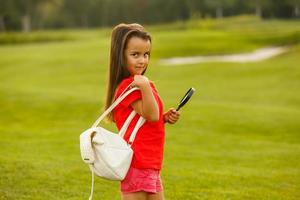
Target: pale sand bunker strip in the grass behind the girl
258 55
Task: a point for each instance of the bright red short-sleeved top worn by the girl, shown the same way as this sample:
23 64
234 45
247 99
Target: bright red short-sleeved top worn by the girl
148 145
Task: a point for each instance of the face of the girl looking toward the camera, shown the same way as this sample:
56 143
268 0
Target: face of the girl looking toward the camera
137 55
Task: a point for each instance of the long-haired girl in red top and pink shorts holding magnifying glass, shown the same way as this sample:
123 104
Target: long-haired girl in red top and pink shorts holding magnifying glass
129 57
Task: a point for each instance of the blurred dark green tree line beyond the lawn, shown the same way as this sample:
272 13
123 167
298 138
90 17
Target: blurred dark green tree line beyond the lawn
39 14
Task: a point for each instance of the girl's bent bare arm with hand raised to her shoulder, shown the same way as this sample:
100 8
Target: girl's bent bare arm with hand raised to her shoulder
146 107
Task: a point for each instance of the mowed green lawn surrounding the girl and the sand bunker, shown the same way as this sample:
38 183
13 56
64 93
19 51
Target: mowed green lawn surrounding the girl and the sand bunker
238 137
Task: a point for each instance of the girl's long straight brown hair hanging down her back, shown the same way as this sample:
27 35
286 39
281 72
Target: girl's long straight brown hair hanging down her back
117 67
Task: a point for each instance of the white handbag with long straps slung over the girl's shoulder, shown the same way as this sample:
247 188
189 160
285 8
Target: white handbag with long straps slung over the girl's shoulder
108 154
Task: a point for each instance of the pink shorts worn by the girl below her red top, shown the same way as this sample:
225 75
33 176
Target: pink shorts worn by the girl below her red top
147 180
